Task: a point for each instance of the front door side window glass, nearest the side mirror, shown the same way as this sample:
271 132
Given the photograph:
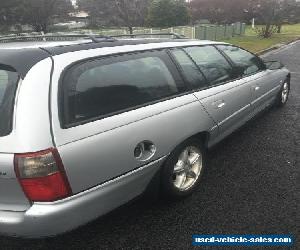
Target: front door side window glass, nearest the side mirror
246 62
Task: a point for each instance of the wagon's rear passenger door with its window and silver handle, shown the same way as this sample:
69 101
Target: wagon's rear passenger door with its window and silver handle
227 98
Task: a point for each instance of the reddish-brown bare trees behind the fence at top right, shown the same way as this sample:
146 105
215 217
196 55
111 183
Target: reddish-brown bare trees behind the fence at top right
271 13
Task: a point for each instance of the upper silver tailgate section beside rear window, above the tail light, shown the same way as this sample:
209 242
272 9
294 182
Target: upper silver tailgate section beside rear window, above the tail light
31 123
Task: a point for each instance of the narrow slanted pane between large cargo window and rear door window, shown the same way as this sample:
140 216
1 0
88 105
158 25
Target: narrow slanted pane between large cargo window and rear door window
189 69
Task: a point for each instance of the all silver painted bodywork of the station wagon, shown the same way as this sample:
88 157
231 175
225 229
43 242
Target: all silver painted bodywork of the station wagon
99 156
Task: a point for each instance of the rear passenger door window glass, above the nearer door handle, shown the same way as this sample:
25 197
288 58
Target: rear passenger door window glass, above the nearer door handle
213 65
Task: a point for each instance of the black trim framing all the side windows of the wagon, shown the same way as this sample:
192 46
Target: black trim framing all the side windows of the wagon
172 65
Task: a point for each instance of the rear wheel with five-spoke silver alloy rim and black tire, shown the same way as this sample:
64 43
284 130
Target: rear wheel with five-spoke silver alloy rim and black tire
179 176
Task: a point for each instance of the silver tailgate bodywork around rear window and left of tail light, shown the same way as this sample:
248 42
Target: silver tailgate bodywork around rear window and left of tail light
31 132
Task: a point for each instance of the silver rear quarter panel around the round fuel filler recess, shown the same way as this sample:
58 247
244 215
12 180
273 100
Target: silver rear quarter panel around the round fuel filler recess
102 150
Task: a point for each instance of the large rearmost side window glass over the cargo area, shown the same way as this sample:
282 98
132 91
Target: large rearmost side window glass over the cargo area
97 88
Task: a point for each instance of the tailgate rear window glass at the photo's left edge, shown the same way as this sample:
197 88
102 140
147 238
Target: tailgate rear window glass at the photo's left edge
8 84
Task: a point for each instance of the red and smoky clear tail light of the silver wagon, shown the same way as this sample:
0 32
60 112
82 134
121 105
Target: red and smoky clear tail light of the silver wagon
42 176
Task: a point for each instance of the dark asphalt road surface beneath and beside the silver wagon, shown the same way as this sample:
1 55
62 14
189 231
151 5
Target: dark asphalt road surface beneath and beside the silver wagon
250 187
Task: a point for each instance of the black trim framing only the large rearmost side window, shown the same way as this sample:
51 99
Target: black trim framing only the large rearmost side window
160 53
